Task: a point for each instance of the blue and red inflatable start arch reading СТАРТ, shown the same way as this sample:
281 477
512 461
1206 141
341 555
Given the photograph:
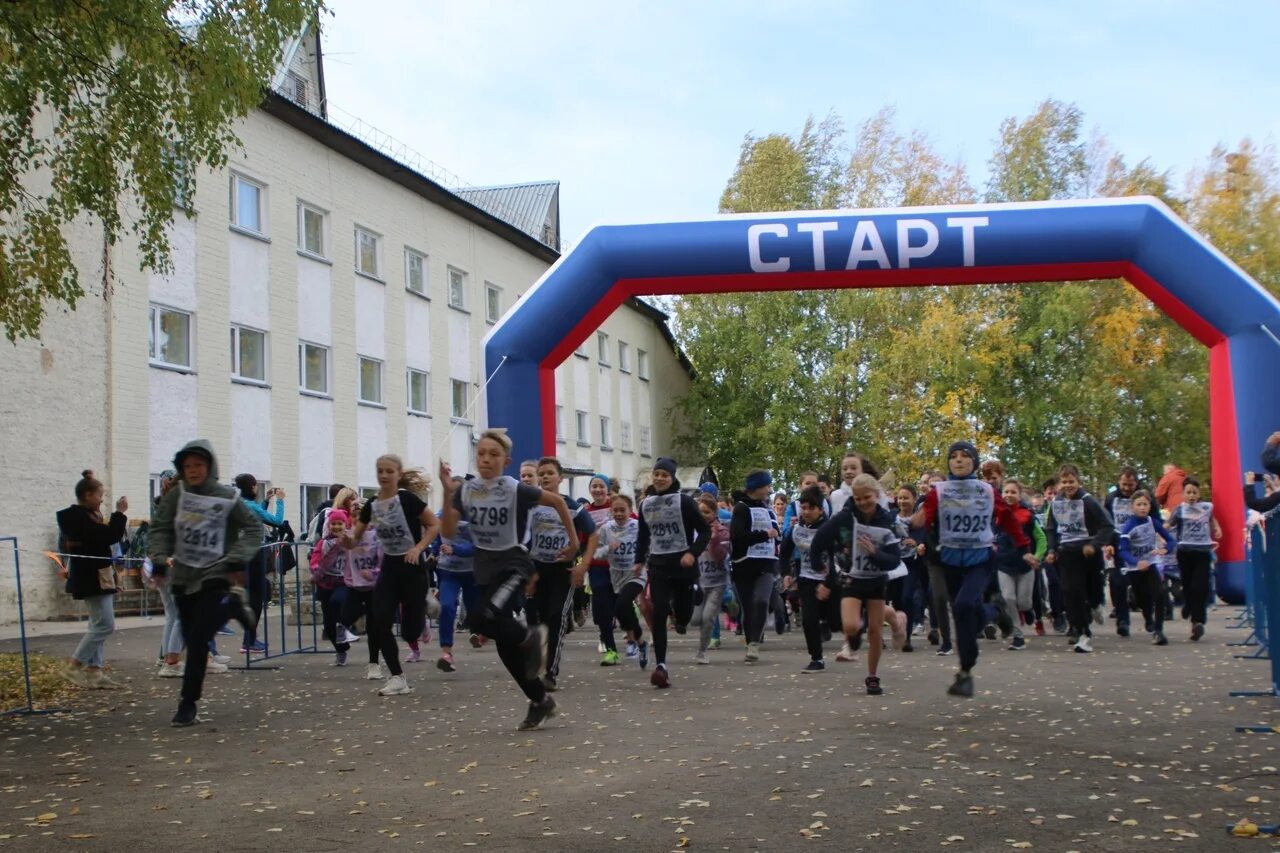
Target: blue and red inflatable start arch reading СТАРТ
1139 240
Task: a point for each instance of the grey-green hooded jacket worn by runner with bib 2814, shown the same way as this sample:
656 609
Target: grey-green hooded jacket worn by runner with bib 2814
244 530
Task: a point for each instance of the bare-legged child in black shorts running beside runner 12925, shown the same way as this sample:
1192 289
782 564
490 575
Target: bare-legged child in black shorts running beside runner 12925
866 549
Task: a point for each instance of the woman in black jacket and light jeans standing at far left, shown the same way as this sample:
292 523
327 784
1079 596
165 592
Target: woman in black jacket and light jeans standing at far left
90 577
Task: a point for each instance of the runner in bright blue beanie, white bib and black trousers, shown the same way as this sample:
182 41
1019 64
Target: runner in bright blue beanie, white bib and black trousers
752 536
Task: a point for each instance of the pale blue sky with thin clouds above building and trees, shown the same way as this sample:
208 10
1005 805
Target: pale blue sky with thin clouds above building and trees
641 110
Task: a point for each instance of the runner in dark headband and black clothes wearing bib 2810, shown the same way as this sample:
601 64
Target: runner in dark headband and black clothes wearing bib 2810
673 536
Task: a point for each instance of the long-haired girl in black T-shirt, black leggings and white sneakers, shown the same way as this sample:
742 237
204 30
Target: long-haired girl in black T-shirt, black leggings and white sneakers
406 527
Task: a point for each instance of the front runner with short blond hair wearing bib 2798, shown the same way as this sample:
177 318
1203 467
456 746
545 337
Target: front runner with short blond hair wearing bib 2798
499 509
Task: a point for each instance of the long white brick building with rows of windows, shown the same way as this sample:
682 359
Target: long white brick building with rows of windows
327 305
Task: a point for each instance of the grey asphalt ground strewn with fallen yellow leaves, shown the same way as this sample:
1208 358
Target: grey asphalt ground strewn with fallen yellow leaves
1132 747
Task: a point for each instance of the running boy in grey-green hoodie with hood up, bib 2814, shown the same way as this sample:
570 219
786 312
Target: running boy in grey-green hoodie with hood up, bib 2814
202 539
